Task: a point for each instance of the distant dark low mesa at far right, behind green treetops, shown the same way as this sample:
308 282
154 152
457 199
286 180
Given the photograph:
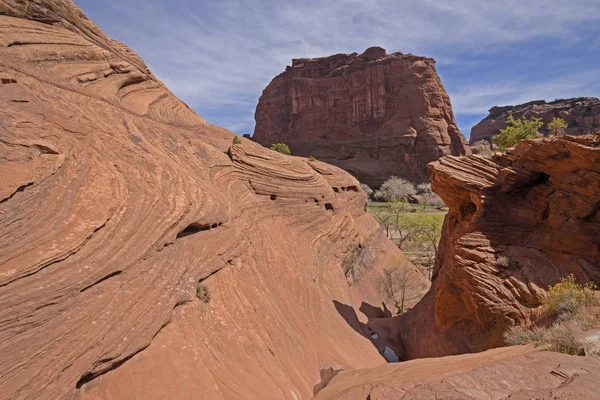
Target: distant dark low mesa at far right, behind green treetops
581 114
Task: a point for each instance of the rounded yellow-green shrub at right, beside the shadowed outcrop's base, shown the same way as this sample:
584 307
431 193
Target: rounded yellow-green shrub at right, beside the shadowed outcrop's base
568 297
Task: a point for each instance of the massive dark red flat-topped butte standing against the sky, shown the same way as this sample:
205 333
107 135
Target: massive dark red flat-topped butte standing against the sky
373 114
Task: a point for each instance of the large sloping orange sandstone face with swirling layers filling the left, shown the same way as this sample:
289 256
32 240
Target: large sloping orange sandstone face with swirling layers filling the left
118 204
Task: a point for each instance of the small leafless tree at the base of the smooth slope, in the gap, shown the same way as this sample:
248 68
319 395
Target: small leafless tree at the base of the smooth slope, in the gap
400 286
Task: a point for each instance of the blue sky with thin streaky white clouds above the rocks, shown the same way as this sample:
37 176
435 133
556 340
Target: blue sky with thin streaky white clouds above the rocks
218 56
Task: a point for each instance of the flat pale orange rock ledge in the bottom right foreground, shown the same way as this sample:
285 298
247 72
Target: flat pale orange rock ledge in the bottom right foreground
520 373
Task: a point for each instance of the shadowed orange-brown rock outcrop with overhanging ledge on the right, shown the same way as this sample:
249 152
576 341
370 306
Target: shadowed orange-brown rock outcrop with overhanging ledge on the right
517 223
